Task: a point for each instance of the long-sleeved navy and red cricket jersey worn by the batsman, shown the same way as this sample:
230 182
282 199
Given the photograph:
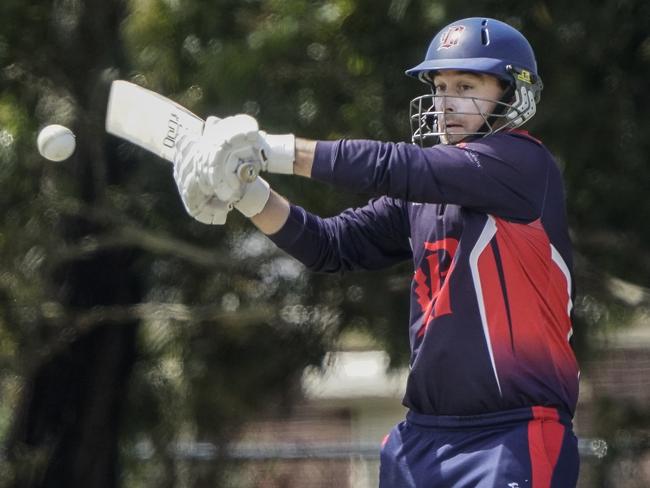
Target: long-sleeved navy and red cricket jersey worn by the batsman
485 225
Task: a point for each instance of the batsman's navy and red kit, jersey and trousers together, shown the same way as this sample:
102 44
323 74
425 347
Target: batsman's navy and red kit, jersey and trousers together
484 224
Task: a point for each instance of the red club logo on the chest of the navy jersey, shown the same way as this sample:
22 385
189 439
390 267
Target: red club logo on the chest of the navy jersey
433 297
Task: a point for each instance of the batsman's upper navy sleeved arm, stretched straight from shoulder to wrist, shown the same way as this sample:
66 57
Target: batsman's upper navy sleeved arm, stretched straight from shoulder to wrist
504 174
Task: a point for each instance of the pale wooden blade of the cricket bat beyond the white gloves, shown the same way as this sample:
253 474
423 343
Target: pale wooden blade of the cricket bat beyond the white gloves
148 119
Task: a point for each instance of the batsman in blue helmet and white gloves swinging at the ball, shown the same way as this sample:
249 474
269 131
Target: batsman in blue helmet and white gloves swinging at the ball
477 204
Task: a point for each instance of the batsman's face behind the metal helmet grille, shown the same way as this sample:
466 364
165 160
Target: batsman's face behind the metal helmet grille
466 101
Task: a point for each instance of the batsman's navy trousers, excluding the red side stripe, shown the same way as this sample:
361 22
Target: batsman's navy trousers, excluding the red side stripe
482 451
